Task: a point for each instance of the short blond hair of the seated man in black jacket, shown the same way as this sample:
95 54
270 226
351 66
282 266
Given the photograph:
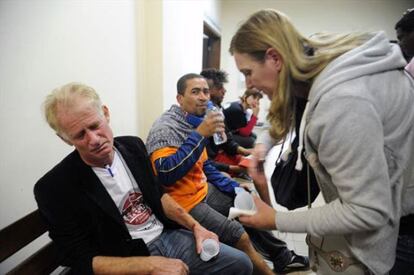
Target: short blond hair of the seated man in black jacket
66 96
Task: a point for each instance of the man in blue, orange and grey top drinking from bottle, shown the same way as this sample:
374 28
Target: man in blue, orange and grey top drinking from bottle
177 147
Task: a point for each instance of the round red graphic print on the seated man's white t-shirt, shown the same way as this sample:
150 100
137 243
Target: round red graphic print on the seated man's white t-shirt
134 211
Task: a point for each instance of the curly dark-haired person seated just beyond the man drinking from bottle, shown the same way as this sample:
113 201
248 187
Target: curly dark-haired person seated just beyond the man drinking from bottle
227 156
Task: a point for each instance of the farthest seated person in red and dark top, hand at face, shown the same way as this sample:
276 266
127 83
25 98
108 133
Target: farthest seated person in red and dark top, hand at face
241 116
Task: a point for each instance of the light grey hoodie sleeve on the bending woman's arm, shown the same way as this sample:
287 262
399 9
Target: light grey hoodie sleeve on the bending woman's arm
350 147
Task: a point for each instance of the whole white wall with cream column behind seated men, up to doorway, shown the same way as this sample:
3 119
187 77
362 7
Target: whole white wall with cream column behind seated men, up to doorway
119 47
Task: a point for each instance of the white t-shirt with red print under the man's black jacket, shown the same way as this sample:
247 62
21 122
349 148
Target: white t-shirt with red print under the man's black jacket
124 190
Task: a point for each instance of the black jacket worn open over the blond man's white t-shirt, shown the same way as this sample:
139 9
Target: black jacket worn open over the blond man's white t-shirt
82 218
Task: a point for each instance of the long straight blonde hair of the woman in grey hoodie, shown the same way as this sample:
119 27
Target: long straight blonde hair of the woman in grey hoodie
303 58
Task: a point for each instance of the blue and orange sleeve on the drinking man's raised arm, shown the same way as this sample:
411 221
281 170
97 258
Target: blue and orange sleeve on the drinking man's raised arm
172 164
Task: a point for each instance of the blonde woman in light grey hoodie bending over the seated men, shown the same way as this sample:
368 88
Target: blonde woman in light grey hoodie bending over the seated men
357 131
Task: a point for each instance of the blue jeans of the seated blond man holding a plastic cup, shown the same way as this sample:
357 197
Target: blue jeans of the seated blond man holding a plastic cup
180 244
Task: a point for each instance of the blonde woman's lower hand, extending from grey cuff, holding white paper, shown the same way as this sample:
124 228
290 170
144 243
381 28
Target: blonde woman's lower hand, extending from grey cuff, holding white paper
265 218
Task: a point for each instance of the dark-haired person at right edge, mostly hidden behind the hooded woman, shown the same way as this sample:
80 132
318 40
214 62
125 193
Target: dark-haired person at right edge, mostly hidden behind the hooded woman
404 263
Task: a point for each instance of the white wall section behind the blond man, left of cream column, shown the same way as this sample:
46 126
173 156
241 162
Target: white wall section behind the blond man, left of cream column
44 44
